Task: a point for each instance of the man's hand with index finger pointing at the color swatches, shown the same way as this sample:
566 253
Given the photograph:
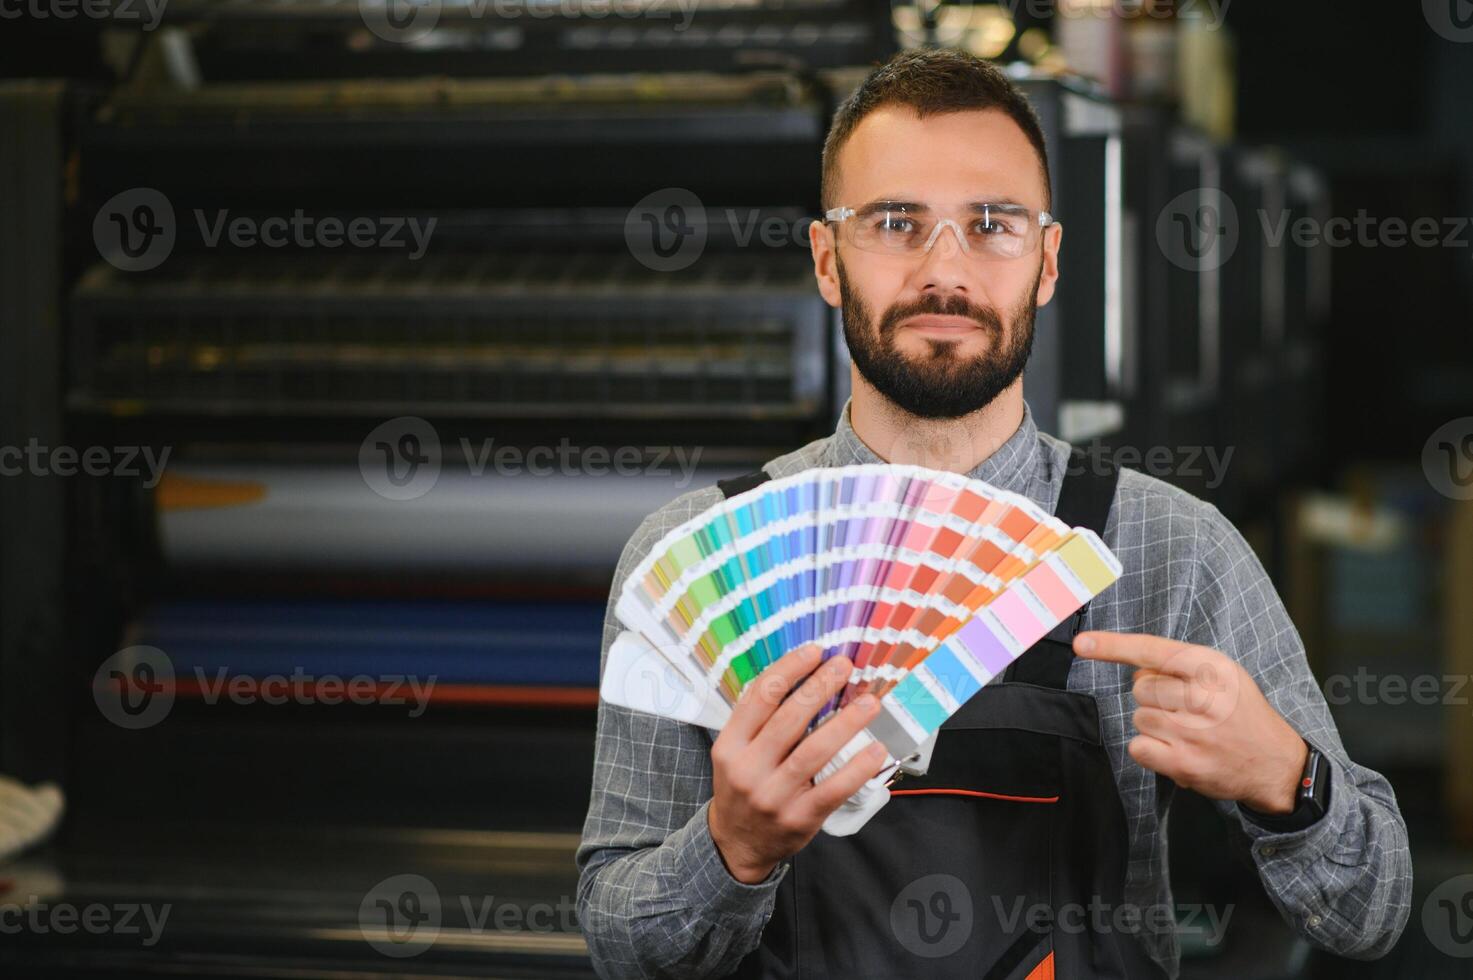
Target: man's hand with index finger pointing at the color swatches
1204 723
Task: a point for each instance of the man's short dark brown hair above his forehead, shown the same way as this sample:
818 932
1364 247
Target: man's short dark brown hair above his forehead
933 82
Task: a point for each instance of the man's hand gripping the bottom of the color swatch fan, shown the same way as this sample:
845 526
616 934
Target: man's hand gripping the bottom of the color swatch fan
765 805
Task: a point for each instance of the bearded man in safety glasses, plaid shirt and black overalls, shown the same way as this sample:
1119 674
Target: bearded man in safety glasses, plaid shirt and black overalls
1041 823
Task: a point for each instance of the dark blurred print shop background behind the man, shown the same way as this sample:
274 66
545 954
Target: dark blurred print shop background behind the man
344 344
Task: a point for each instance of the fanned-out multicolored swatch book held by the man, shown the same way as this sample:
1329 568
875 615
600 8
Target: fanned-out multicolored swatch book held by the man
930 583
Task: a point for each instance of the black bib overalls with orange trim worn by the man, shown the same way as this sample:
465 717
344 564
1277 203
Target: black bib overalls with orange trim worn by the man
1005 861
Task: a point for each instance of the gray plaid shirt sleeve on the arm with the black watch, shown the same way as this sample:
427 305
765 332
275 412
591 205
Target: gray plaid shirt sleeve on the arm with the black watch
1344 882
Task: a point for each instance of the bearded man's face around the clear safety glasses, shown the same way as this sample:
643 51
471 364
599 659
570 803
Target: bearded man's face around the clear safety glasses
952 331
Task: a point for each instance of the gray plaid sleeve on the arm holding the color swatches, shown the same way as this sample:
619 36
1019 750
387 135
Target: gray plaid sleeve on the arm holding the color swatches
655 897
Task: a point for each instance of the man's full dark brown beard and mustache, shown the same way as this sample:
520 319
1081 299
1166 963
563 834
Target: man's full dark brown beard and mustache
941 384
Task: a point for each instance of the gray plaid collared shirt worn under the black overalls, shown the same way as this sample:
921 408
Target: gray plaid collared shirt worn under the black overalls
656 901
